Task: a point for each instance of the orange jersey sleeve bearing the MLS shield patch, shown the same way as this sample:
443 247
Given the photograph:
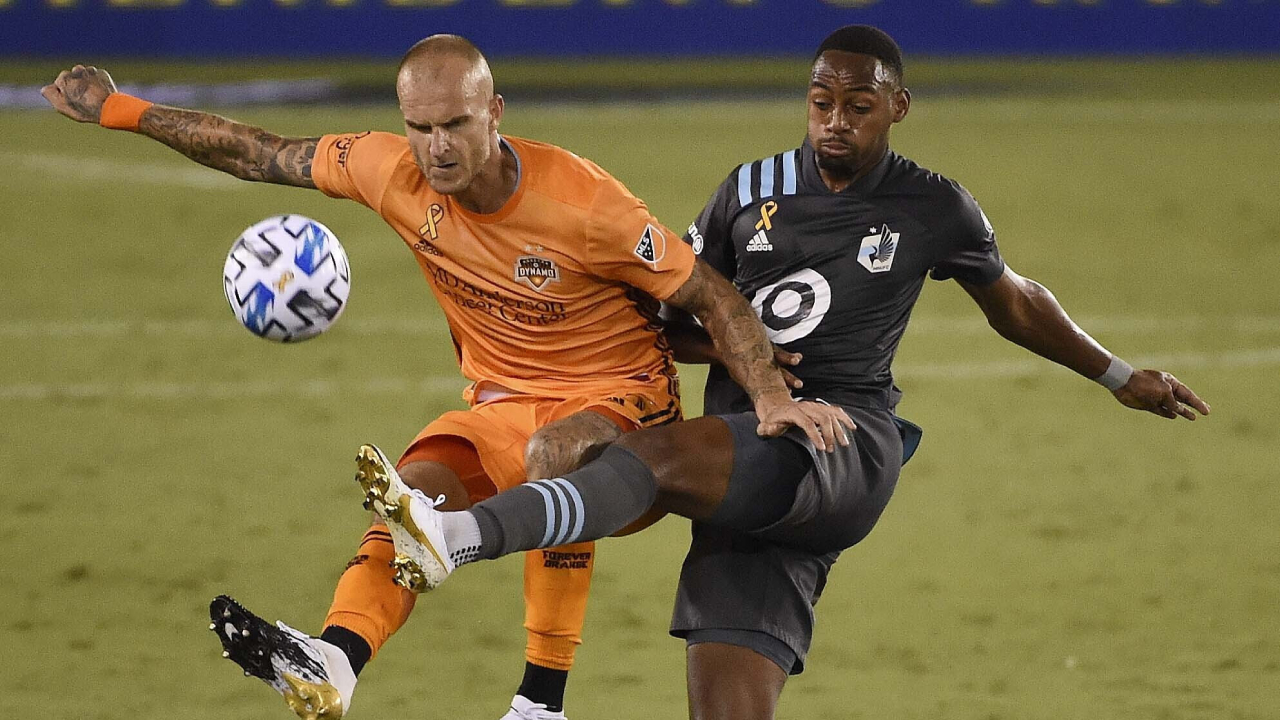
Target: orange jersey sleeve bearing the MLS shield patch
627 244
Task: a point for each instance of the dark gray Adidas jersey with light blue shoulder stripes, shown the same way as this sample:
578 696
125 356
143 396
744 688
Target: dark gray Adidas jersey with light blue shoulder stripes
835 275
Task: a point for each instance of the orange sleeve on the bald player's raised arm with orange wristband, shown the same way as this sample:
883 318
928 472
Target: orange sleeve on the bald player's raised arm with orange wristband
358 166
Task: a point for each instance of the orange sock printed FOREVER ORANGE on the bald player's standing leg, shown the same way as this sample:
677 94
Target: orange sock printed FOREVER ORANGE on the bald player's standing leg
557 582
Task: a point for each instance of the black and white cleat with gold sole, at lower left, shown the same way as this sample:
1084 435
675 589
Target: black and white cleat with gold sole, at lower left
314 677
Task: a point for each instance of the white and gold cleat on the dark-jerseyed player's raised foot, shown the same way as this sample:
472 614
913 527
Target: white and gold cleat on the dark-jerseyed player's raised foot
422 555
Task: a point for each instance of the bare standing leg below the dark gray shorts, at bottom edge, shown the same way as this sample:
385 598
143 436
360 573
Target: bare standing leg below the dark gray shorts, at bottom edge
732 682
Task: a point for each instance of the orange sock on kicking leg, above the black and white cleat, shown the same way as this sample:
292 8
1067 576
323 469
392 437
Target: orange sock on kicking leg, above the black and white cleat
367 601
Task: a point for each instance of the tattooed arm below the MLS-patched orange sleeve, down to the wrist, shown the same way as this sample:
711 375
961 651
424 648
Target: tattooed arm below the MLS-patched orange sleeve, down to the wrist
734 327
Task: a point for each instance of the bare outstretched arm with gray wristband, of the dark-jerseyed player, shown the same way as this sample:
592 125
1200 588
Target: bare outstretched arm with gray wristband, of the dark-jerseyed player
1026 313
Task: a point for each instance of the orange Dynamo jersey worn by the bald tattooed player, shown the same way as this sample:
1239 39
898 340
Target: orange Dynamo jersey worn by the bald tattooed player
542 295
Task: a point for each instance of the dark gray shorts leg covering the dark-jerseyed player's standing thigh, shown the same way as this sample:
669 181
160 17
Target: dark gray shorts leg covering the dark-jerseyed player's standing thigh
740 590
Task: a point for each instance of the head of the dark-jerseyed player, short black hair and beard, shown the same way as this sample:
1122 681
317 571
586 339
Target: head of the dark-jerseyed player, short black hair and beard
856 97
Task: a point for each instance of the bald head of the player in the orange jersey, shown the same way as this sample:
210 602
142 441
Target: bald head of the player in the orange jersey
451 111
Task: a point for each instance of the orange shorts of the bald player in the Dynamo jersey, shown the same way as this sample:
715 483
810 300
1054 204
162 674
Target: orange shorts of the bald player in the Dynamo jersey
486 445
